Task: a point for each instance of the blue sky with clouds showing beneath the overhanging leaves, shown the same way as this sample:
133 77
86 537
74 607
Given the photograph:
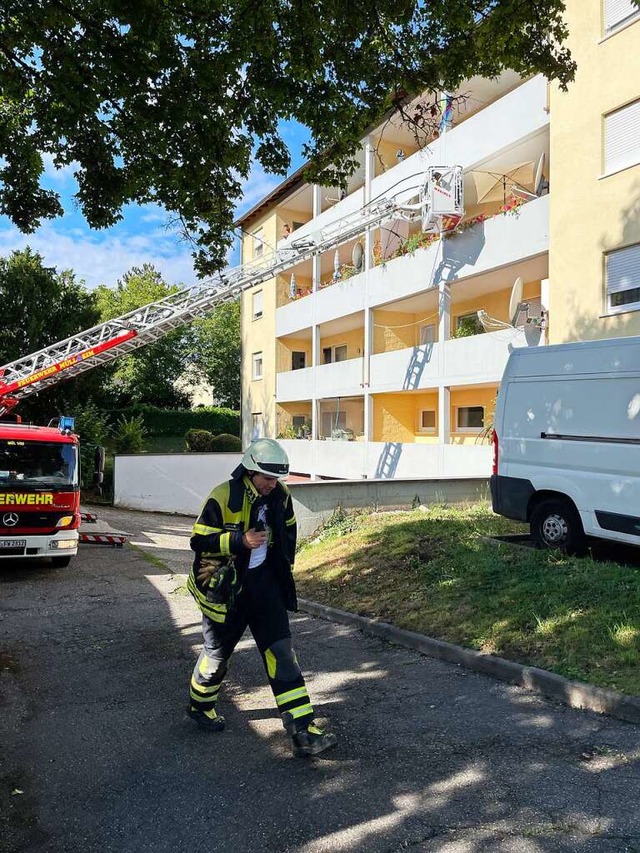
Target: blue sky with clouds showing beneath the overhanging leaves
102 257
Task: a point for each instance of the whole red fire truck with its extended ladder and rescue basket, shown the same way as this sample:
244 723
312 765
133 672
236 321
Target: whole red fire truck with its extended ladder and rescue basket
39 466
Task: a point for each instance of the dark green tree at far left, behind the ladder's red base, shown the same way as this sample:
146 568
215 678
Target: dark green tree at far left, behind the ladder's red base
41 306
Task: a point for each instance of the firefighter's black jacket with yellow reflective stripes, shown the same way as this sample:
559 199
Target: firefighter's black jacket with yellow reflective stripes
230 510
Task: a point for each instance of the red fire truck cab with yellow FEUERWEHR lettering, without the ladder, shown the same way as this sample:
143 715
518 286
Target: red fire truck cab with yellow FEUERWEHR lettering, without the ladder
39 492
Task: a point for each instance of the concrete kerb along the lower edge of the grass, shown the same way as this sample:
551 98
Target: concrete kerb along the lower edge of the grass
575 694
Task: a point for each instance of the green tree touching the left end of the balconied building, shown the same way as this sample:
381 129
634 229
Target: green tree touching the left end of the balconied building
217 350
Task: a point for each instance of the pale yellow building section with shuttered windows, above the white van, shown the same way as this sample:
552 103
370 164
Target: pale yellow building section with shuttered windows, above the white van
594 255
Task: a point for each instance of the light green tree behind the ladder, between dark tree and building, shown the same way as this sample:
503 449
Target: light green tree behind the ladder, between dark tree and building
149 374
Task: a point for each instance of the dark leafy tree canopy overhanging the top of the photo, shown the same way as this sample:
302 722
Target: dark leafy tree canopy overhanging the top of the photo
171 102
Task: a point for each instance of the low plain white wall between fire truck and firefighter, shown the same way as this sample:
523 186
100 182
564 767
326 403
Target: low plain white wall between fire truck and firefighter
167 482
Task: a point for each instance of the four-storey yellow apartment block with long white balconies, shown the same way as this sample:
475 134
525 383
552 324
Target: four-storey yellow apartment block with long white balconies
370 361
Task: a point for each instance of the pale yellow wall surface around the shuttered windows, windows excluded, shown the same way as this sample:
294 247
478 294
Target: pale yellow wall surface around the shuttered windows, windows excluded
591 213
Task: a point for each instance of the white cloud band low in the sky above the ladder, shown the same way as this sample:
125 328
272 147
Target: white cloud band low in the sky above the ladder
104 257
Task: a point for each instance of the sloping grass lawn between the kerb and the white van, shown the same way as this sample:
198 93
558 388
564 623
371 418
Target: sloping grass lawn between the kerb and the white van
431 572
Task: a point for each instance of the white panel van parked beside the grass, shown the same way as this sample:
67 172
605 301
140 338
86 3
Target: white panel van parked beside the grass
567 442
